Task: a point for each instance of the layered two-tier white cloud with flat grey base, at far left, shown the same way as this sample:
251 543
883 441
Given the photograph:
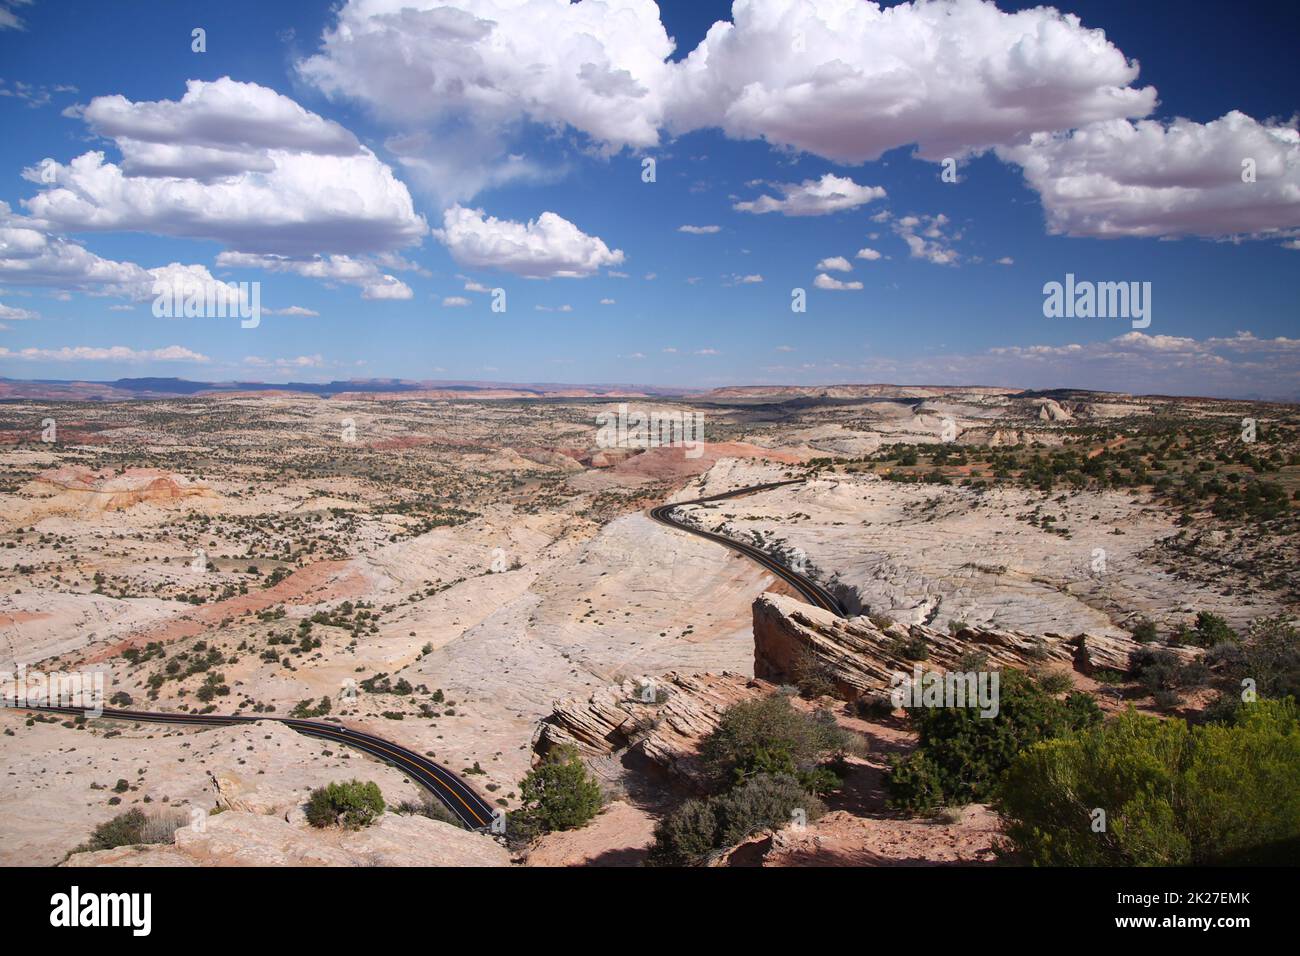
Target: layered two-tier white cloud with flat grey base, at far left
229 162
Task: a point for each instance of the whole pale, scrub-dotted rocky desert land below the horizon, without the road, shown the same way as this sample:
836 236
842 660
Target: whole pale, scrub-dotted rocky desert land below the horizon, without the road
474 576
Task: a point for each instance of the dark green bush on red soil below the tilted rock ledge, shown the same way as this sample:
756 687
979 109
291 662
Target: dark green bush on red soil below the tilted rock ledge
965 754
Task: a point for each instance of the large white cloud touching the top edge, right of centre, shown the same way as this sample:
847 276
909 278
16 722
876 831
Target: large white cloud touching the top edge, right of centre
848 81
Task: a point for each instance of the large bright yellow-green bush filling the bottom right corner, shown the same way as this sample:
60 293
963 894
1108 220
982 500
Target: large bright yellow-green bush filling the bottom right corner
1173 795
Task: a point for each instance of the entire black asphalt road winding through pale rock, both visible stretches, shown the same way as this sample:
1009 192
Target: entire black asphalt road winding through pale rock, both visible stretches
458 797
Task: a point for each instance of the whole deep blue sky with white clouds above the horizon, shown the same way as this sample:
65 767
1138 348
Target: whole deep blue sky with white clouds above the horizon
619 293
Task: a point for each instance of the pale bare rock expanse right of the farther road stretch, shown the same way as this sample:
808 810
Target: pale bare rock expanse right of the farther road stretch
933 555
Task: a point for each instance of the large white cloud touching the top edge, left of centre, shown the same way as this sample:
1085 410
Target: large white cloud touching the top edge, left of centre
600 68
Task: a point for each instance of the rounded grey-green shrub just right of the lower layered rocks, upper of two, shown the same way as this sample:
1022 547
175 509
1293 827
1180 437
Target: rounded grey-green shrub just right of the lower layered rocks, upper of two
770 737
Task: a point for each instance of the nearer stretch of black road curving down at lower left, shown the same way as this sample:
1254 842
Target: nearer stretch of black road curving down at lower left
448 788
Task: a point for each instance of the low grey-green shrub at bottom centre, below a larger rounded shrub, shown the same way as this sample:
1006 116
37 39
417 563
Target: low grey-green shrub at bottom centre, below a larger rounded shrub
697 829
